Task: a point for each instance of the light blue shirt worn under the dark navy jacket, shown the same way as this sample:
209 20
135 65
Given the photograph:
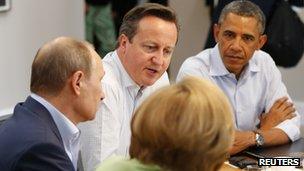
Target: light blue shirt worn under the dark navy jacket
69 132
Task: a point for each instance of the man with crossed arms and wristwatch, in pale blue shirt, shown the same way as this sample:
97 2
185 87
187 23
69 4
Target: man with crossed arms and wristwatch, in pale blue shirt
263 111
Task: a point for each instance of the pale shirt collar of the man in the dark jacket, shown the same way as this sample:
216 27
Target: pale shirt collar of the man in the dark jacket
68 131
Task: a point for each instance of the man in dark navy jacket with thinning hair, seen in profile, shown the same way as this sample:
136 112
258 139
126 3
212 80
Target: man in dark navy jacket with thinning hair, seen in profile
65 90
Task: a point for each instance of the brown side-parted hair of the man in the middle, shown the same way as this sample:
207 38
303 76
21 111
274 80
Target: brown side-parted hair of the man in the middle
130 21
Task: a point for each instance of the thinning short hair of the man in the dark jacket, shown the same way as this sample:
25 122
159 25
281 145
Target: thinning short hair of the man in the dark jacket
56 61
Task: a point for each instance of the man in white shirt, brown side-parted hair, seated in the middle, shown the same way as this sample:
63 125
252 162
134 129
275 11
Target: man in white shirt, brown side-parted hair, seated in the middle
134 70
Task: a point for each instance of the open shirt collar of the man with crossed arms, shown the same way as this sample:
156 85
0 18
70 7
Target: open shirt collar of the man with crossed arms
217 67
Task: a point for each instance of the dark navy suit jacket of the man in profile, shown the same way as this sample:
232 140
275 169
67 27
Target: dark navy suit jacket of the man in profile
30 140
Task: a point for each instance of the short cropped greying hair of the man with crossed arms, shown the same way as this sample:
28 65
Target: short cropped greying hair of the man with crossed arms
244 8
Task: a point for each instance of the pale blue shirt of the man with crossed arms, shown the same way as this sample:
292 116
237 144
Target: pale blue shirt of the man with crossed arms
258 87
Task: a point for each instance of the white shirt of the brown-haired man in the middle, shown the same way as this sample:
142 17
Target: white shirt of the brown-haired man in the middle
109 133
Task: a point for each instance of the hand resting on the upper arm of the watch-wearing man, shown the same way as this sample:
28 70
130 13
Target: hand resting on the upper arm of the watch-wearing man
279 112
